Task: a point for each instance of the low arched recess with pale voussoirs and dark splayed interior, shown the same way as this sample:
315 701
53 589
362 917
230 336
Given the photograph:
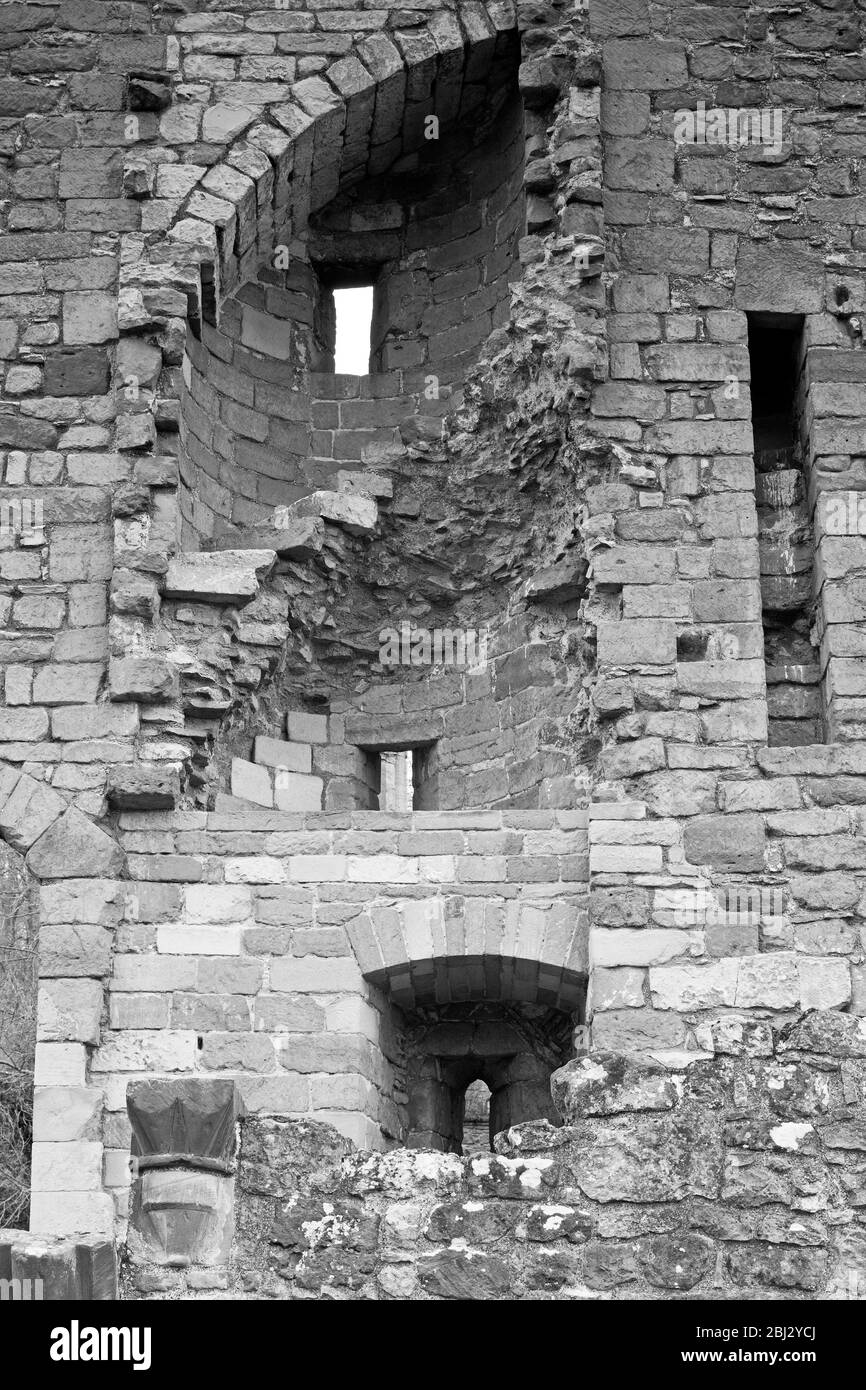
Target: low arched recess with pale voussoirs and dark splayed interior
473 990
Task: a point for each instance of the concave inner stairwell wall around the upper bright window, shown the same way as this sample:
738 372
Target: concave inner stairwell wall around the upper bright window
263 419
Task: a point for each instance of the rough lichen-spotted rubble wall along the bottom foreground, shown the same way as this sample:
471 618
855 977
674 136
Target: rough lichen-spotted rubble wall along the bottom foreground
740 1178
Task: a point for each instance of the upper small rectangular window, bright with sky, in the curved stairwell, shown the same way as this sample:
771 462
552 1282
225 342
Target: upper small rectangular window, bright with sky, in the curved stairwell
345 322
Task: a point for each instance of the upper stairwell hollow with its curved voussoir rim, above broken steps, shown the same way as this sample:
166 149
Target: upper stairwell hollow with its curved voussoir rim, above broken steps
404 167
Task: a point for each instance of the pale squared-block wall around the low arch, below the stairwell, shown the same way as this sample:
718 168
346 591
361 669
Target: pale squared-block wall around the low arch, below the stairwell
258 947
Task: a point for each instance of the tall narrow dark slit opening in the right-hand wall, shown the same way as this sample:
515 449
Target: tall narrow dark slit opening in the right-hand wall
785 528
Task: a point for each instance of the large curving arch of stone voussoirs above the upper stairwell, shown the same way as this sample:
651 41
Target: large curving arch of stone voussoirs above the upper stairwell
359 117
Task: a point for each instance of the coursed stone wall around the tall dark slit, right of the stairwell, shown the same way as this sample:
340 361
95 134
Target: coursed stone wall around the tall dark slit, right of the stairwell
698 237
